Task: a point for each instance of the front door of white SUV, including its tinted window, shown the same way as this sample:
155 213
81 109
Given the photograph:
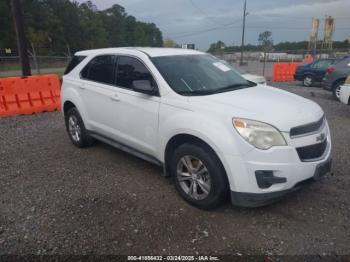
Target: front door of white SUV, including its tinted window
138 115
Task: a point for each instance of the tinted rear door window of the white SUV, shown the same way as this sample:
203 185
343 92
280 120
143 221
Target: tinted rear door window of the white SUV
100 69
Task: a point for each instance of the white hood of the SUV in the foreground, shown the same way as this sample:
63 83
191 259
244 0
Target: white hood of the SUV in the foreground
276 107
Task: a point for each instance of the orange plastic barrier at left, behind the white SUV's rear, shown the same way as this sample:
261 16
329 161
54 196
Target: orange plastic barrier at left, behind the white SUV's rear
29 95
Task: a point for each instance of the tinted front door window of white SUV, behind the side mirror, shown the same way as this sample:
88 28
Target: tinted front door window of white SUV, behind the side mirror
130 69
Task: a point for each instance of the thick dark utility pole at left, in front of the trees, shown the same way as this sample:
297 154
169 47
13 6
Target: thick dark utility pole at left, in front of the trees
21 38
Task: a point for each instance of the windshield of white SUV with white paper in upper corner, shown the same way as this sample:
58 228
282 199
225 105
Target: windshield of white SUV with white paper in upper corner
199 74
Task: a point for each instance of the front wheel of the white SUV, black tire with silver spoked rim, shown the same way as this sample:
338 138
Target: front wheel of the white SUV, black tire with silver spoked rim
210 172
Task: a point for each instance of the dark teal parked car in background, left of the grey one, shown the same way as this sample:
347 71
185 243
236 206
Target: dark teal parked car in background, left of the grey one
313 72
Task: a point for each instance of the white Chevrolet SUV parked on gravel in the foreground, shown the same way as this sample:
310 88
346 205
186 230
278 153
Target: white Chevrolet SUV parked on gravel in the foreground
214 132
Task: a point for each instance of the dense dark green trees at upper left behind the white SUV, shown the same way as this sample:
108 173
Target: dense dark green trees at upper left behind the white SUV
56 27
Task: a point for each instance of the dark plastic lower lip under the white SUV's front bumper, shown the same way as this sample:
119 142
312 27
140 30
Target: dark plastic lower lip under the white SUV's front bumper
257 200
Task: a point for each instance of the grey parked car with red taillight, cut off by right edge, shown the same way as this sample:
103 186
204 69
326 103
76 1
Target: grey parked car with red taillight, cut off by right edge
336 75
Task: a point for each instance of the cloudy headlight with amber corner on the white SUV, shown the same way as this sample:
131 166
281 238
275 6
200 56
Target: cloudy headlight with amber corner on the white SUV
258 134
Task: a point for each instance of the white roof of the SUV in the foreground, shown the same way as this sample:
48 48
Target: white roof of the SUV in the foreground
150 51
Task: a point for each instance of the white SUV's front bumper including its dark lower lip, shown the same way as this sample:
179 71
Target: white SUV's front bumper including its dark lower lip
283 161
